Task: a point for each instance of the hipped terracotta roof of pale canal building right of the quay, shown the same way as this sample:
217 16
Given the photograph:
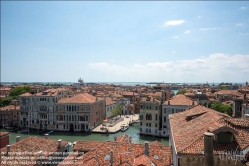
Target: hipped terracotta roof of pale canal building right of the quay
180 100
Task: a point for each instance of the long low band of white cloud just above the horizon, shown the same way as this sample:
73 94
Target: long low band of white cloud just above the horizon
216 67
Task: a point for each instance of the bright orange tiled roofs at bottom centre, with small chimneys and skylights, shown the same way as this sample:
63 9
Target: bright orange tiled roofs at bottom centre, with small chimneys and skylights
120 152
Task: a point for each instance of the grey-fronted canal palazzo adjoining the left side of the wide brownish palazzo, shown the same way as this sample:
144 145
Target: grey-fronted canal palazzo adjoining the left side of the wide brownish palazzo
38 111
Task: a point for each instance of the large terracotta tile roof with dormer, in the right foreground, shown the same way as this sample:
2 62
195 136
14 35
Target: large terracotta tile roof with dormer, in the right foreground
188 128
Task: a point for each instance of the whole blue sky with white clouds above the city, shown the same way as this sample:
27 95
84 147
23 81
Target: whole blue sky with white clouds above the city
125 41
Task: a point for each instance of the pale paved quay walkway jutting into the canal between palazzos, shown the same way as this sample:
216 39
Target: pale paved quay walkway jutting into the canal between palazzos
117 126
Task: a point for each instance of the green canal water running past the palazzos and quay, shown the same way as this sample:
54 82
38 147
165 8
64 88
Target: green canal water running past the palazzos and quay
133 131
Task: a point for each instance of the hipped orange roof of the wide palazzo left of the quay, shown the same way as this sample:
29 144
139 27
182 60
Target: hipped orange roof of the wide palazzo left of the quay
80 98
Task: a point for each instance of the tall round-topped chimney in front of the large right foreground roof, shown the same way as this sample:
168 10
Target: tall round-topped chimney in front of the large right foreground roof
208 148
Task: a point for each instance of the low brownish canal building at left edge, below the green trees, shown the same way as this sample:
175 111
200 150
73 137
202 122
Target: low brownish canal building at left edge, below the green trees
9 115
